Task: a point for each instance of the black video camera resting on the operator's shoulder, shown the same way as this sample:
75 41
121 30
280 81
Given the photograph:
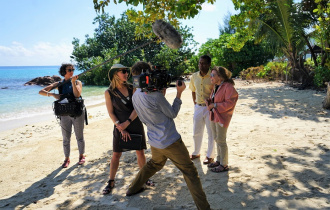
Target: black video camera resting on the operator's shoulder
155 80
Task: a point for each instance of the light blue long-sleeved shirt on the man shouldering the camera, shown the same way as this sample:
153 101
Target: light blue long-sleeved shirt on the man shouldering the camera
157 114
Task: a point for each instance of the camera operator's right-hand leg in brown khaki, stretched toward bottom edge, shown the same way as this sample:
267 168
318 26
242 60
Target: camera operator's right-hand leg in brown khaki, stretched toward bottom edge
179 155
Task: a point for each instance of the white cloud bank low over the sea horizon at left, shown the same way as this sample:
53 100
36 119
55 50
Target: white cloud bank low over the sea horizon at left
41 53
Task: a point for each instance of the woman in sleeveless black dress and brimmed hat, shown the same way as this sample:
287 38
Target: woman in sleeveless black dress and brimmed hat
119 104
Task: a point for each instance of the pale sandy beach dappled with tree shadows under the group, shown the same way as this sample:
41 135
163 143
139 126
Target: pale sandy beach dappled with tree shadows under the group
279 158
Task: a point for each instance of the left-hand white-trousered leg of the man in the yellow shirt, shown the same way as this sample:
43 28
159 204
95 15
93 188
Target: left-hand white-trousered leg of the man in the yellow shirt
198 129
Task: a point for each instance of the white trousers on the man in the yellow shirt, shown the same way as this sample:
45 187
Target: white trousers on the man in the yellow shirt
201 119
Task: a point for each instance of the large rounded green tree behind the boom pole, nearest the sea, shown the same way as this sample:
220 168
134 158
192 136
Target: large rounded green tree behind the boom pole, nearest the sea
114 37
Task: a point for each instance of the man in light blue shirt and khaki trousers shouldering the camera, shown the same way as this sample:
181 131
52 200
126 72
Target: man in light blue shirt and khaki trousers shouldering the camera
157 114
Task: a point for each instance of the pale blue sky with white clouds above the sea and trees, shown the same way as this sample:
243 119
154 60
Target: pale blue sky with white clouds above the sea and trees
40 32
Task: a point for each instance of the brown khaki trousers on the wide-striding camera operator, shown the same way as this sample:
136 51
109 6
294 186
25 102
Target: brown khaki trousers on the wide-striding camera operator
179 155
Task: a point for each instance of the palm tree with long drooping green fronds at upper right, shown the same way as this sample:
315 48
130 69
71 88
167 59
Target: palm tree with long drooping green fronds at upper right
278 27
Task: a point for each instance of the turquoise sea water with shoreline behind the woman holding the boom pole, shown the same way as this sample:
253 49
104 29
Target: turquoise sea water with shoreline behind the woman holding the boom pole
19 101
